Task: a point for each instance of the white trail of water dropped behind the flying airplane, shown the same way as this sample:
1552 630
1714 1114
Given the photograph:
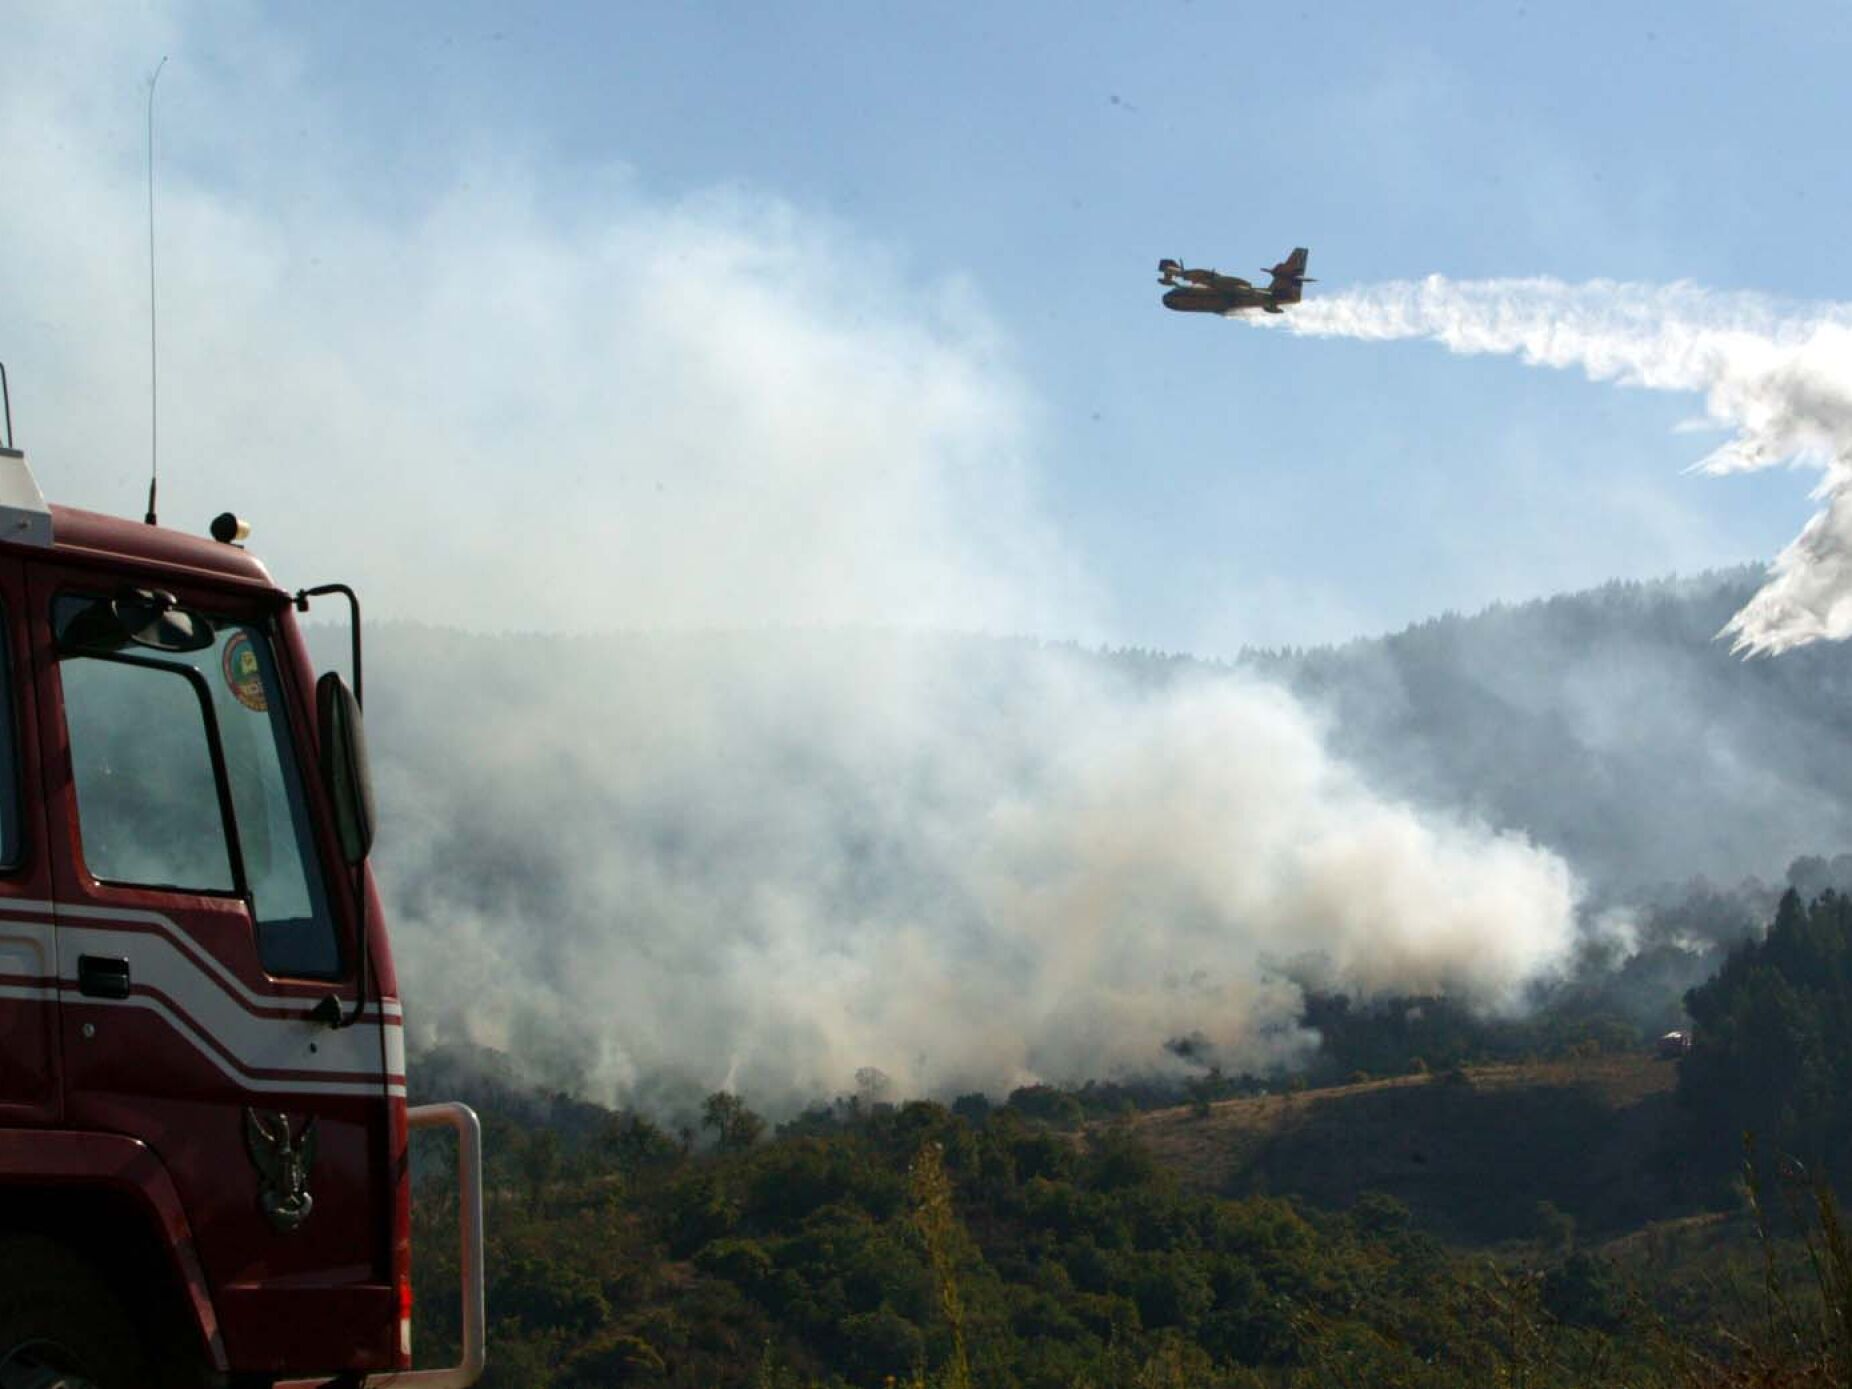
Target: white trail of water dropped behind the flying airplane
1779 379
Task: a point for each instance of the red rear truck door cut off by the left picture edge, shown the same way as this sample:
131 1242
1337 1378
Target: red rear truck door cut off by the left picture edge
29 966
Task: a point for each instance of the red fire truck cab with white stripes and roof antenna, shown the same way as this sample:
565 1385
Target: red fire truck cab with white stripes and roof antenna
205 1138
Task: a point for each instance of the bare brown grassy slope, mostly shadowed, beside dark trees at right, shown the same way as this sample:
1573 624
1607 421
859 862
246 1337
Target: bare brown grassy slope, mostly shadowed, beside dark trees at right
1471 1158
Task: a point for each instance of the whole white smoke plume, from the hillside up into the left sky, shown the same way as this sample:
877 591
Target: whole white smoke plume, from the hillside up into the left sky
516 403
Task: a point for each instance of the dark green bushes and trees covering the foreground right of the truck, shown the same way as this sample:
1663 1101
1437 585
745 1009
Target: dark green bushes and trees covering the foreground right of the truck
984 1245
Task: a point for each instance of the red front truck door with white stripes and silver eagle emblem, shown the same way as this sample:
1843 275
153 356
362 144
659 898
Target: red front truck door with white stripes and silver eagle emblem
199 932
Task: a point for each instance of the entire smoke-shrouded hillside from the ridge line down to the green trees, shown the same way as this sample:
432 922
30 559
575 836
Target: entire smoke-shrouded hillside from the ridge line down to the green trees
655 864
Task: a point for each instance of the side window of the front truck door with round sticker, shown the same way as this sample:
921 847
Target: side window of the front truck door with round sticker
149 736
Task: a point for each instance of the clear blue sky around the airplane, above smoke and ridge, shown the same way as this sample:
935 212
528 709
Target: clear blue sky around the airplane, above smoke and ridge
1216 486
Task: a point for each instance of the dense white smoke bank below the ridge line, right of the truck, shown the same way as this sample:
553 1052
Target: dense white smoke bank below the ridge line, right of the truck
660 864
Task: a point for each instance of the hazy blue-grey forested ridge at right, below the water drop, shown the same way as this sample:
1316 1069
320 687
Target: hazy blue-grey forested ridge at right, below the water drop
1610 725
